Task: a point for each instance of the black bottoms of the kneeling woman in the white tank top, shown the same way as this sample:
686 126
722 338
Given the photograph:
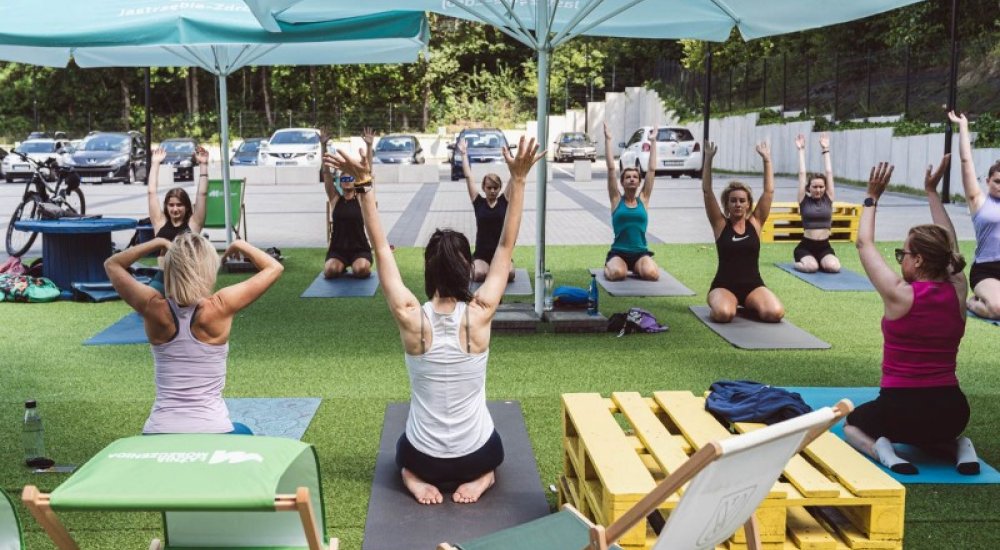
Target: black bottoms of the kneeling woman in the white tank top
439 471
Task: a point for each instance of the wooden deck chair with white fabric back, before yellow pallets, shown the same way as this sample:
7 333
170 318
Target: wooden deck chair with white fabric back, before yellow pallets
728 480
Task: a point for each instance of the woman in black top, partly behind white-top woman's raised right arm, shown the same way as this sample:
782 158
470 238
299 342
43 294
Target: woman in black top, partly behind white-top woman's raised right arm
490 210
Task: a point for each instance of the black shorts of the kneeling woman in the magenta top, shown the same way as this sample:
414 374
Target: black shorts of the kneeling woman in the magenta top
916 416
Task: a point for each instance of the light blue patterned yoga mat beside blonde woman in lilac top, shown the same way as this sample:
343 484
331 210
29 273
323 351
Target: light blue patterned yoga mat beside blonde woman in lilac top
276 417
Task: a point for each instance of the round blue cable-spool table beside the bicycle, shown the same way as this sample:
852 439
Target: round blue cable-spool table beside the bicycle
74 250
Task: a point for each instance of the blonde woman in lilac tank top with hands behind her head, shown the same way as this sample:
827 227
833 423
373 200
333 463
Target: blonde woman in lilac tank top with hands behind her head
188 327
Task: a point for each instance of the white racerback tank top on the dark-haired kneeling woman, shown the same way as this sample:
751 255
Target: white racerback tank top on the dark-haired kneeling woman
448 415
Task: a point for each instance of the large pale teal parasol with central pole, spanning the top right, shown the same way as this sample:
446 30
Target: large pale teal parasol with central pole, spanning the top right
544 25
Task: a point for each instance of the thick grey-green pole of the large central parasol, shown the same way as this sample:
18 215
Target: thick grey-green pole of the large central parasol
544 51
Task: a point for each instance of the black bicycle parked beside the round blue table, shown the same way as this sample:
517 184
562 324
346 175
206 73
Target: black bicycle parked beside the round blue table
42 200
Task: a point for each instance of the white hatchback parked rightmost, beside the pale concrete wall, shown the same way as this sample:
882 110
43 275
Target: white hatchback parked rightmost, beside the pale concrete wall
677 152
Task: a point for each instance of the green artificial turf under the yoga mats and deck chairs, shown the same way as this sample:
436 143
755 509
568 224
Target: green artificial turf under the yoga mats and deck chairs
347 351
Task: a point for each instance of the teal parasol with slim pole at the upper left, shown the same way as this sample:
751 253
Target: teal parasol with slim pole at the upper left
219 37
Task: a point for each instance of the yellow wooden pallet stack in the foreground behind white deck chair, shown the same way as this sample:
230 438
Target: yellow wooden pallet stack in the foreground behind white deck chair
617 449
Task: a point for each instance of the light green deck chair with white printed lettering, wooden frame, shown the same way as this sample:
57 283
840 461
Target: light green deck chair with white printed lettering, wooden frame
214 491
